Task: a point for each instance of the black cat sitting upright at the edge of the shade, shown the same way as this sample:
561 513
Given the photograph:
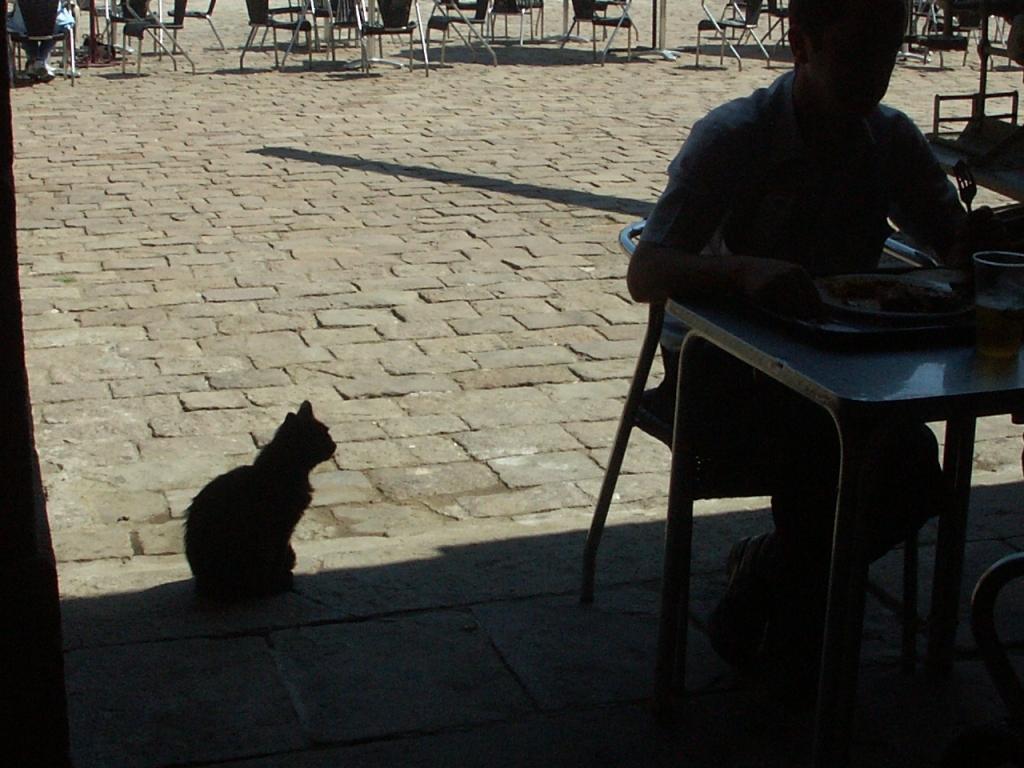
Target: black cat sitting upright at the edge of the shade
238 528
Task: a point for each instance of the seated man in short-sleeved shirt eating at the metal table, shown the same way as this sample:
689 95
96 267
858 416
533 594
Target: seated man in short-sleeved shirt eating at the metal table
798 181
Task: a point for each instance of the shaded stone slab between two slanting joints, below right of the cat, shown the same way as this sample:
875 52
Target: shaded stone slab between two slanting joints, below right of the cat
393 676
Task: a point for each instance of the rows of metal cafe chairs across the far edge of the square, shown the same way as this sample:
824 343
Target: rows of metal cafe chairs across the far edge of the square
308 28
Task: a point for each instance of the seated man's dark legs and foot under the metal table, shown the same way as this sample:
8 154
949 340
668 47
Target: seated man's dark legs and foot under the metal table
773 615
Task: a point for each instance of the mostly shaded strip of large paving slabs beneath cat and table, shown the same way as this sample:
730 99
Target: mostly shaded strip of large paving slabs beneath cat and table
435 651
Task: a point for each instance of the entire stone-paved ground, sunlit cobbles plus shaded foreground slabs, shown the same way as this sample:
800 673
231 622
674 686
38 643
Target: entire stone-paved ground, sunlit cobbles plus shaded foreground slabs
433 262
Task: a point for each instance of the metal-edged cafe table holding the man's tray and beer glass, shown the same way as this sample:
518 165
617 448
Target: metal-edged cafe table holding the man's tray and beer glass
861 389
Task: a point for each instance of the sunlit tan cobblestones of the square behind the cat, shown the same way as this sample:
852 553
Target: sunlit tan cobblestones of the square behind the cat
431 261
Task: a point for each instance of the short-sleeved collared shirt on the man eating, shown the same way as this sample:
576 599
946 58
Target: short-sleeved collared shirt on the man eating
745 183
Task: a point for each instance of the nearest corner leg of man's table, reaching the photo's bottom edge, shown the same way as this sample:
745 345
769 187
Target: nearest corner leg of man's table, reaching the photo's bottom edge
845 614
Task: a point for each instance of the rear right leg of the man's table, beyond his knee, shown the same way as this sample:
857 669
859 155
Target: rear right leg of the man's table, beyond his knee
957 464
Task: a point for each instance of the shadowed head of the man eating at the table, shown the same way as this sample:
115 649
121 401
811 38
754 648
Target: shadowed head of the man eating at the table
845 51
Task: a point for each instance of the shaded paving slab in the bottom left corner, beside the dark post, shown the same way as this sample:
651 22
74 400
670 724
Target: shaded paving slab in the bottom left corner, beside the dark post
178 702
